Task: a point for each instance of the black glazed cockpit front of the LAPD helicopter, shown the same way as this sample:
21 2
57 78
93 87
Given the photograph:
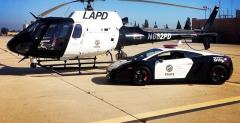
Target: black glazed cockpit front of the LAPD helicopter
46 37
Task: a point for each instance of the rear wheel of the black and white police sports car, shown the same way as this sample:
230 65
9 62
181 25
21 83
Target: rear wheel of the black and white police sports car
218 74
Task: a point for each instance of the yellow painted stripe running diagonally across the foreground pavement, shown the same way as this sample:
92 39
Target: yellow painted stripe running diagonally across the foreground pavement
175 110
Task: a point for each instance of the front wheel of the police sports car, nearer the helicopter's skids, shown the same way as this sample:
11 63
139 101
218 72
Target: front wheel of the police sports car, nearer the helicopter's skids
141 76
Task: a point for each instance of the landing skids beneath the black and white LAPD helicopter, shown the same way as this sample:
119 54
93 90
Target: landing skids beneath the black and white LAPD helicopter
72 65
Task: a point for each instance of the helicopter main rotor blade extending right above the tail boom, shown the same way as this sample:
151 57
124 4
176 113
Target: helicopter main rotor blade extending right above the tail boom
163 3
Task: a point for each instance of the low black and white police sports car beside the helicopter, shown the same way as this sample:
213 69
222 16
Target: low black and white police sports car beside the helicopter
169 64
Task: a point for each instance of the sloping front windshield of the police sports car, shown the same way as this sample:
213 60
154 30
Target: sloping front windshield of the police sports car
146 54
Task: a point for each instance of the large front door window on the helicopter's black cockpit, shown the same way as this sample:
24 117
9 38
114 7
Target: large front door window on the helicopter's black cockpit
55 37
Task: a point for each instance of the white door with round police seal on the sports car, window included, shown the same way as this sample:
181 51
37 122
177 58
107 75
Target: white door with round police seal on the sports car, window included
172 65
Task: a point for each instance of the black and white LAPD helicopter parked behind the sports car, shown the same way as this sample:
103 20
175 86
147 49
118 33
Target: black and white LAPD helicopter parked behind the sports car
90 33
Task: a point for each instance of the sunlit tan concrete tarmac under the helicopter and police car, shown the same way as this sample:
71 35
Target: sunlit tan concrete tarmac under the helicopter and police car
42 96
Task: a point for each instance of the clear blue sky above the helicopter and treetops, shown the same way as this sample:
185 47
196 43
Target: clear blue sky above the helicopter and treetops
14 13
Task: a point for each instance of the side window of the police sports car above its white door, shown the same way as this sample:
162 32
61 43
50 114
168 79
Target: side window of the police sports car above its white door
171 55
